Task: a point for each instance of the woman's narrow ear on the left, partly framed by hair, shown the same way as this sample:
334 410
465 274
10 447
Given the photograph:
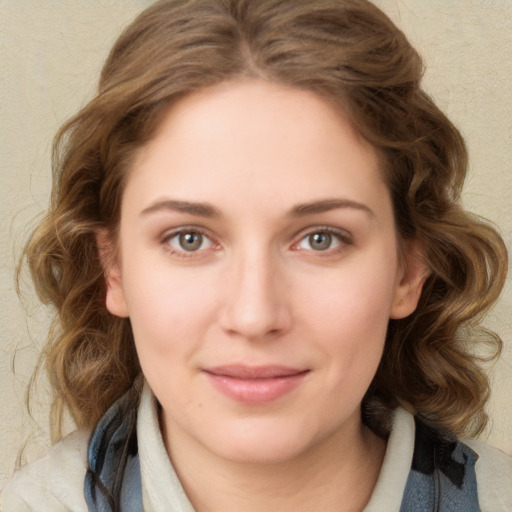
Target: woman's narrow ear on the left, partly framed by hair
115 299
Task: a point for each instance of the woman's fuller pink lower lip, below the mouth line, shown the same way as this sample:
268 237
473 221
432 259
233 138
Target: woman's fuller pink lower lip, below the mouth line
256 391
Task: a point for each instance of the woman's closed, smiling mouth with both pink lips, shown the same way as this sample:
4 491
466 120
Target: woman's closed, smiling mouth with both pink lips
255 385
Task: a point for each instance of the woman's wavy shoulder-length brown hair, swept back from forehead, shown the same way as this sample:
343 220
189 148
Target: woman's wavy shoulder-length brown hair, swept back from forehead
346 51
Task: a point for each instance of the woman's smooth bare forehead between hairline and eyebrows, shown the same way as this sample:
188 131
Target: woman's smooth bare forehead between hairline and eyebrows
255 141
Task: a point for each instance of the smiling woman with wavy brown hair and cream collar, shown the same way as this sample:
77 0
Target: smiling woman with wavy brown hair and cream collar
261 270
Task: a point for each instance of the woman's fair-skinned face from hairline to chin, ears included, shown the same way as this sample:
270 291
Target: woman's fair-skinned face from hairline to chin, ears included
258 264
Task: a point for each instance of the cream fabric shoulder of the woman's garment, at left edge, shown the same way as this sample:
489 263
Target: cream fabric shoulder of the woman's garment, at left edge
53 483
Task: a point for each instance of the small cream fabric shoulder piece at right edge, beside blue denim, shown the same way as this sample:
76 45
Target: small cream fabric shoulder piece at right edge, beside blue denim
494 476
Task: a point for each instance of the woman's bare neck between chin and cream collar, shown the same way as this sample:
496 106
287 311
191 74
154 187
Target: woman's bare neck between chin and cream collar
338 473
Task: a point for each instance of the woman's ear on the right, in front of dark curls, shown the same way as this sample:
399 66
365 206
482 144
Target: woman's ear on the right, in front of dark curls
411 277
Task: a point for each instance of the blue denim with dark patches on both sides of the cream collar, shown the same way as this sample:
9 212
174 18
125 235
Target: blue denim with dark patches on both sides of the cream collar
442 476
